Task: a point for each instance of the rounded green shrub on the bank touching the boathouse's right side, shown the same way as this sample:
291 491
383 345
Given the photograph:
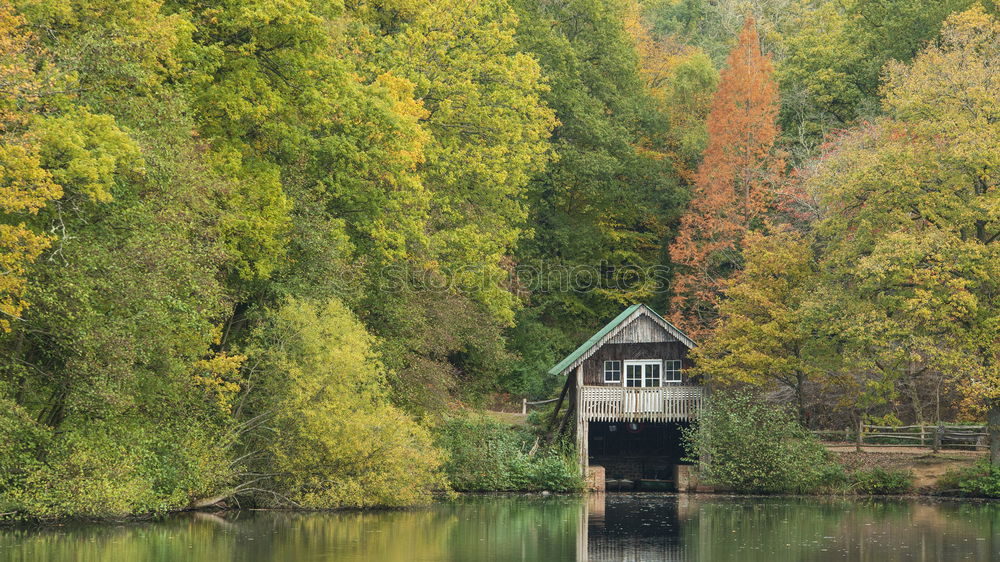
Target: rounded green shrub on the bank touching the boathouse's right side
753 446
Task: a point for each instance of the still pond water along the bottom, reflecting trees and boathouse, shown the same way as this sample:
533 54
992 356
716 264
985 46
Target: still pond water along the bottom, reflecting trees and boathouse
611 527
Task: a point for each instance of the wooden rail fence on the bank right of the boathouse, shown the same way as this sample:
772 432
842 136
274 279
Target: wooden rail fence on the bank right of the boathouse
936 437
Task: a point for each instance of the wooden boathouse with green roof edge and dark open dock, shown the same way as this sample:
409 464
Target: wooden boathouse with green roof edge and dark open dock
630 394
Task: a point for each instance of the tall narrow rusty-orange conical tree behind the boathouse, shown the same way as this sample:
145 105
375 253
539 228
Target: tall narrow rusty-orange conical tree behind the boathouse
733 185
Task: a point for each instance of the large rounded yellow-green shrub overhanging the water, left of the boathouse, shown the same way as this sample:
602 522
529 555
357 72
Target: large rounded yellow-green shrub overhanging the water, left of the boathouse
333 439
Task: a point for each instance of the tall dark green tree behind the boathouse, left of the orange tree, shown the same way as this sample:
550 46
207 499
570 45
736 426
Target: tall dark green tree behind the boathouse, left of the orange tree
601 213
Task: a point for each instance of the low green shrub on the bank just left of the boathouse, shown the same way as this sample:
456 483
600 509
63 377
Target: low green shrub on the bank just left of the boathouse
485 455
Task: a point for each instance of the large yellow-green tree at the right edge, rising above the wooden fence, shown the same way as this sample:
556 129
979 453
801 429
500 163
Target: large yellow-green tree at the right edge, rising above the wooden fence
911 221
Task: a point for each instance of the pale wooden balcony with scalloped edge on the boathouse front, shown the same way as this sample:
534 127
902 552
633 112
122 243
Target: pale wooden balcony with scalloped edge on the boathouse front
658 404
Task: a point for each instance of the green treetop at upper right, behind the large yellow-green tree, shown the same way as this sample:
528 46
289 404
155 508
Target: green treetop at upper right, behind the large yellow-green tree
832 59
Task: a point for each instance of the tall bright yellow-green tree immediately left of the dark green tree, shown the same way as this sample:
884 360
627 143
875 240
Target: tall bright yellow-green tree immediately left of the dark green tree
489 127
